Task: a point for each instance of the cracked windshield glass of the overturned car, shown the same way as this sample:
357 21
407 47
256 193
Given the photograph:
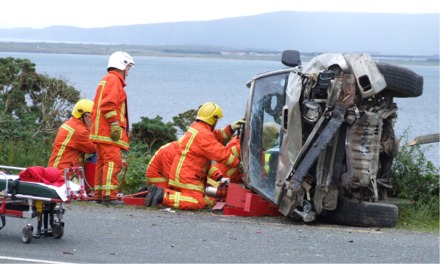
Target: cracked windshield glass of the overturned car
268 98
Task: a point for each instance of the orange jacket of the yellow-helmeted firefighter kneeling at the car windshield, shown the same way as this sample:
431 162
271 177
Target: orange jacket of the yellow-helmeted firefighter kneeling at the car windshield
197 149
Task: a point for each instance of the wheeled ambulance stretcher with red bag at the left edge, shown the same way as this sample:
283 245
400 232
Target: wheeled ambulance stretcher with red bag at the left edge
24 199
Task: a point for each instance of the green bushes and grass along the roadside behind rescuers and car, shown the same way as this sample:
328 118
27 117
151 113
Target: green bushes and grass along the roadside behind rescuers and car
33 106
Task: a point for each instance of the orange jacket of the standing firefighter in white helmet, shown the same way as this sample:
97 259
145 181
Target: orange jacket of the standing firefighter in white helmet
110 105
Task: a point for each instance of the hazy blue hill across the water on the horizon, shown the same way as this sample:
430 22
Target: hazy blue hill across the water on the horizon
393 34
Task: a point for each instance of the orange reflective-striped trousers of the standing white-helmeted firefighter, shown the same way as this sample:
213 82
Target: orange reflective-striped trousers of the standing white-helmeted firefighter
108 166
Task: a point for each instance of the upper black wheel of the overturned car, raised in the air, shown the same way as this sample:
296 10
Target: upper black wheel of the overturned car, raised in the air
401 82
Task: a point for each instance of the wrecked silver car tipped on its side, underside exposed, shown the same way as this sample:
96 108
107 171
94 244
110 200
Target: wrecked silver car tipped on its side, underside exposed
336 141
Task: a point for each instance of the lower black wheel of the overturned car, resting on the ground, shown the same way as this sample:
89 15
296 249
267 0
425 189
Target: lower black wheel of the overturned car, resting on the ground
365 214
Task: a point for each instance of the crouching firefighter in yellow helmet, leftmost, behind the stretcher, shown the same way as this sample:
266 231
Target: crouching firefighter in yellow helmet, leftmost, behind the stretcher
72 140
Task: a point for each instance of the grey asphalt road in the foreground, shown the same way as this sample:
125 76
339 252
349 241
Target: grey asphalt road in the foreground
99 234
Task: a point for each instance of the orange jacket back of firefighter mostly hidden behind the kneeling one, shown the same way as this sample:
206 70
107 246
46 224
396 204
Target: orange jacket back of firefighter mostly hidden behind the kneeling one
158 171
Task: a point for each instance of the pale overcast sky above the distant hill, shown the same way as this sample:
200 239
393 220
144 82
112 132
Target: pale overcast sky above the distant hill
103 13
